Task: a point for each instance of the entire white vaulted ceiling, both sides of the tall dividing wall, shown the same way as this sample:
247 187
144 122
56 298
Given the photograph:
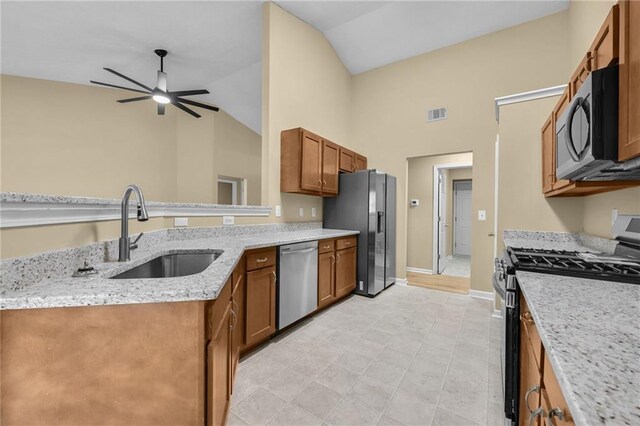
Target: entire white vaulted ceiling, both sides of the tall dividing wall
217 45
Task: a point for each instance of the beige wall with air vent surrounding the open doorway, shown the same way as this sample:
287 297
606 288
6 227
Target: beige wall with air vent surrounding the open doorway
390 106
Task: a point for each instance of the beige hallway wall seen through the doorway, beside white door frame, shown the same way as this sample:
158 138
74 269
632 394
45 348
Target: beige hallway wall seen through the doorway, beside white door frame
420 219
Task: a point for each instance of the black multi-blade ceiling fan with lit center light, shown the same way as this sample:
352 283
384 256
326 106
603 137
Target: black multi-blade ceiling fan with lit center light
160 94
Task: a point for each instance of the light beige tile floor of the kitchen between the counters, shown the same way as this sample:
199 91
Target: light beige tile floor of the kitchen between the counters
411 356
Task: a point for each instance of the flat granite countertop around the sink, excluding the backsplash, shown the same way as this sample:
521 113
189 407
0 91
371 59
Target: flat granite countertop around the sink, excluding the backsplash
64 291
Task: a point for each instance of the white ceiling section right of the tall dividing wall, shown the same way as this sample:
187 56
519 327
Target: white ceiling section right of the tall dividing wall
368 35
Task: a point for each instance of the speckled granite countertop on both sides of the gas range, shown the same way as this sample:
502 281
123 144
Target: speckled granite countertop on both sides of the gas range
590 331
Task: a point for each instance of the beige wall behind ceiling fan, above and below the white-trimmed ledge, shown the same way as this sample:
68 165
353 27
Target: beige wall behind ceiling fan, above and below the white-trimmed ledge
71 139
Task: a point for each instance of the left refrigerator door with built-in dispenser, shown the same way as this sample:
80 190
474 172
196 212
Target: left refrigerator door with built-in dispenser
378 206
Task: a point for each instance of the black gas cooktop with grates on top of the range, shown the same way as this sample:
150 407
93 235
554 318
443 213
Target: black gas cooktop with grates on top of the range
569 263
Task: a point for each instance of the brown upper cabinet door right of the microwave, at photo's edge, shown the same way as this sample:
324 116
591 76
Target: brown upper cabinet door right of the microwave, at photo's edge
629 92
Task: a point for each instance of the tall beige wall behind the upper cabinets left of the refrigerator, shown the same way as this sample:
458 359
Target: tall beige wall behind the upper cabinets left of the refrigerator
306 86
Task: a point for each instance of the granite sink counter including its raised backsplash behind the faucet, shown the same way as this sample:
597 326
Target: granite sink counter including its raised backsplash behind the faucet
44 280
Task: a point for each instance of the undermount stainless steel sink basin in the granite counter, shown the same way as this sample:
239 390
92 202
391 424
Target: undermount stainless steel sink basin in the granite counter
172 265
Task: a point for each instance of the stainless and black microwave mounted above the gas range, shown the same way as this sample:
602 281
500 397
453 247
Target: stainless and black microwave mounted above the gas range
587 130
